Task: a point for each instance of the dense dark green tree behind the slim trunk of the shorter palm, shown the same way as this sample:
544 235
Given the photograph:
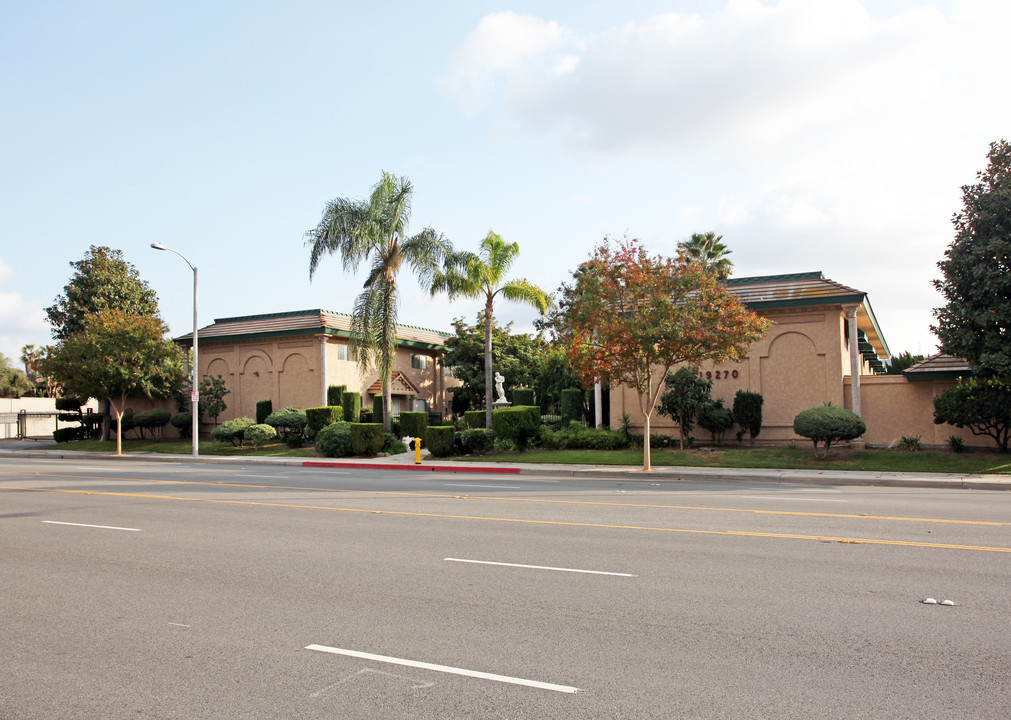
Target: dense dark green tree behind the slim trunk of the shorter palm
520 357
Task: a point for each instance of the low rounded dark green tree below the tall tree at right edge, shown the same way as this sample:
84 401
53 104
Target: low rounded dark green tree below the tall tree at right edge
982 405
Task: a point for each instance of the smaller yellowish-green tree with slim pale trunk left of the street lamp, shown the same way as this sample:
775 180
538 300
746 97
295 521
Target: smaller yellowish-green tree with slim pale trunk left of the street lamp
117 355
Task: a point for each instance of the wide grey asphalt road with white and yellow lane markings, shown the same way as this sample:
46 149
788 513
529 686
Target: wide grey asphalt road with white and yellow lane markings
177 591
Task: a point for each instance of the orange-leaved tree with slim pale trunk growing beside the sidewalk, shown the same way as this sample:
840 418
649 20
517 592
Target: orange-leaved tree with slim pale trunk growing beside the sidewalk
628 318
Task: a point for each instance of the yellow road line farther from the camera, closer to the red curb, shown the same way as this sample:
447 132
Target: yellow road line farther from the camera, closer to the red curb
544 501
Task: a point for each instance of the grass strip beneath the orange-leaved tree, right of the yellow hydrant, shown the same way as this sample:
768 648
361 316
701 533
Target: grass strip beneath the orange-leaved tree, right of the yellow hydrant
774 459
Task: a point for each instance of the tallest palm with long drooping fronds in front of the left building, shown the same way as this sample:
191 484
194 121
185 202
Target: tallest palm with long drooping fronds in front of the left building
377 230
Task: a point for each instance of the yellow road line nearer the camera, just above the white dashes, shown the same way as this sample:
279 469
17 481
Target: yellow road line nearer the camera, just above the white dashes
442 516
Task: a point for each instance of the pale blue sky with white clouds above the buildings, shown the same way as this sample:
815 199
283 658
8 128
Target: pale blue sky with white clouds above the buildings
812 135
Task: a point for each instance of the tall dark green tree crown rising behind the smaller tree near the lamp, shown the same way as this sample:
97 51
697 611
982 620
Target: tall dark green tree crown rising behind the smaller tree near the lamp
103 282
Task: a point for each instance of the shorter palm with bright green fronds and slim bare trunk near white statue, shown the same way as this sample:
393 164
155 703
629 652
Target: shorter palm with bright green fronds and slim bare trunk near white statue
471 276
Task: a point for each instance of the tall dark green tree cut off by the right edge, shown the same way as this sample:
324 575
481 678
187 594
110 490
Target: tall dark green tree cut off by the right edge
976 283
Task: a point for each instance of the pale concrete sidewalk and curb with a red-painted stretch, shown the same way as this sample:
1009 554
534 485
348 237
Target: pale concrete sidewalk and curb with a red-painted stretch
406 462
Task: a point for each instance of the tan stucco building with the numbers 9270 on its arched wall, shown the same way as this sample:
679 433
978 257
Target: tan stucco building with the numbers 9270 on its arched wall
824 346
